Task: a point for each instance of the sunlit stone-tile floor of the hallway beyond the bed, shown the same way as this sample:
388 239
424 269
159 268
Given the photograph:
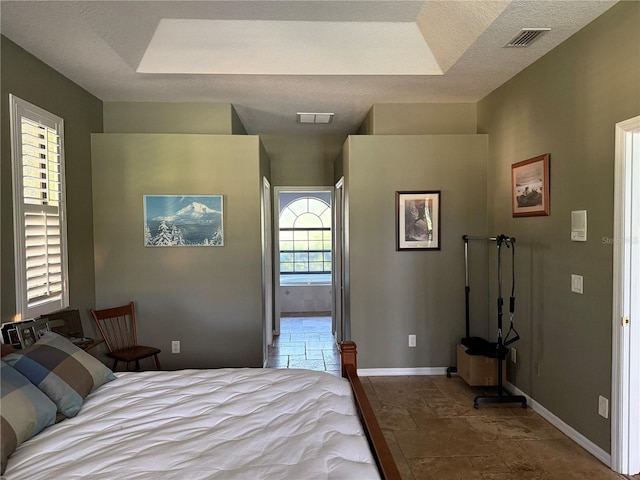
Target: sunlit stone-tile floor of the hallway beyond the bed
305 342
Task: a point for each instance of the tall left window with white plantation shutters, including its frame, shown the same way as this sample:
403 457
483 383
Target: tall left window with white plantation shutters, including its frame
39 209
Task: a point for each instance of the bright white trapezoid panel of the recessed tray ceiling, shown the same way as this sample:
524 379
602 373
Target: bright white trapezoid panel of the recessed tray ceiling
287 48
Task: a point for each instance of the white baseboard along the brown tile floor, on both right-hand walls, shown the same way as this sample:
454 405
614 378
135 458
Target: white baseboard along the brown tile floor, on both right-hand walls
569 431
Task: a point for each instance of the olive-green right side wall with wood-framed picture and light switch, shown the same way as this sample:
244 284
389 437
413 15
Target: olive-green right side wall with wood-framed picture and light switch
566 104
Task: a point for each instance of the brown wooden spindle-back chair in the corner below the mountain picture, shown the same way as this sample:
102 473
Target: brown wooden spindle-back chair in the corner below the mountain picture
118 328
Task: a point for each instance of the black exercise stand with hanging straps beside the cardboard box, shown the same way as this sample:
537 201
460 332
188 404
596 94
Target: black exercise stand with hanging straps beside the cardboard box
481 346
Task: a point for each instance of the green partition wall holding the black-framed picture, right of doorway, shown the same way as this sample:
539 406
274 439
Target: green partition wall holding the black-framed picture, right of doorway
393 294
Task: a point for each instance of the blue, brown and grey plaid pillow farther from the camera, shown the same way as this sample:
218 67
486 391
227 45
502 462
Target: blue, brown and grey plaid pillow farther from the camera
64 372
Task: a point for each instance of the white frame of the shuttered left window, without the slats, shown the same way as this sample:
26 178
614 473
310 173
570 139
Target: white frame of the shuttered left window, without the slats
25 307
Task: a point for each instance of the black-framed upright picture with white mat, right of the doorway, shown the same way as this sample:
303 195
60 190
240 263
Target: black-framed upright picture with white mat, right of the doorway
418 220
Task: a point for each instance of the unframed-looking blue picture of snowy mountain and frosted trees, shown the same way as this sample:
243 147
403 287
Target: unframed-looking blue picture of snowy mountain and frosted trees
183 221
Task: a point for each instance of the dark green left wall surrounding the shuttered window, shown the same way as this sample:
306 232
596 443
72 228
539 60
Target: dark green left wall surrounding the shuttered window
28 78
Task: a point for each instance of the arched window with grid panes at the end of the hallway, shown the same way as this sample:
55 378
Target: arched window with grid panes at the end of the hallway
305 242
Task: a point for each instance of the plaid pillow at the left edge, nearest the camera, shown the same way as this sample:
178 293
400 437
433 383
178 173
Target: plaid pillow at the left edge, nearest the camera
24 409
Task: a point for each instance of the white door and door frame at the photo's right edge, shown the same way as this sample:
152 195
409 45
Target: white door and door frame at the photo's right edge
625 393
